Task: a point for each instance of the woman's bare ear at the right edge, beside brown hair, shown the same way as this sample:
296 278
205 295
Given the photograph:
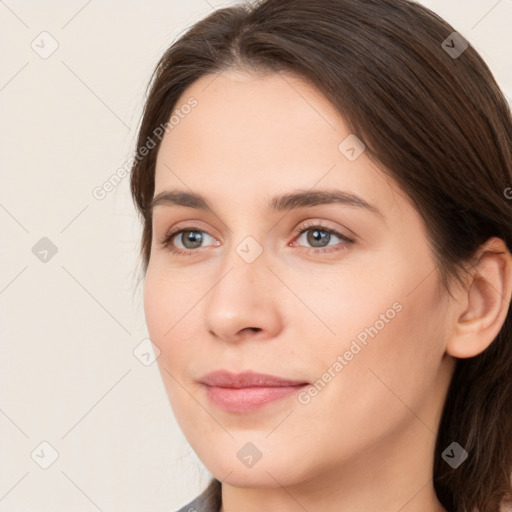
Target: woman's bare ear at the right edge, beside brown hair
481 312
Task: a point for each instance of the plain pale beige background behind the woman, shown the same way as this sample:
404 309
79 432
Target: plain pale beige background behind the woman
69 326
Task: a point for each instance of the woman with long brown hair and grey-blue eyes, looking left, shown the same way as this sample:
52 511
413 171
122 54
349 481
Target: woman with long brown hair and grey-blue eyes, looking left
326 207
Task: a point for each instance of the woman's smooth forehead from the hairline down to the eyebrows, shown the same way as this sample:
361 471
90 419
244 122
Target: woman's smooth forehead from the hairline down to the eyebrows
250 136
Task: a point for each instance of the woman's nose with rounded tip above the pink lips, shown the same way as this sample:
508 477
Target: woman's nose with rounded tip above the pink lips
243 303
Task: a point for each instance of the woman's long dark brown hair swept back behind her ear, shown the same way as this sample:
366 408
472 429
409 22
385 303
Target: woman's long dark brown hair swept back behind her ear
436 122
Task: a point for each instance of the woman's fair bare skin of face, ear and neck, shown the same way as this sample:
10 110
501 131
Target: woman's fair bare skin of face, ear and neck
366 441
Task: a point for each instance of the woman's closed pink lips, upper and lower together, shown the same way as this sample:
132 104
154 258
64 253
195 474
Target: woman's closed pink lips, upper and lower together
247 391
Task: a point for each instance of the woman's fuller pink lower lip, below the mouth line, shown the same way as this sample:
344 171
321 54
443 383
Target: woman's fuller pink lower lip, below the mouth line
248 399
